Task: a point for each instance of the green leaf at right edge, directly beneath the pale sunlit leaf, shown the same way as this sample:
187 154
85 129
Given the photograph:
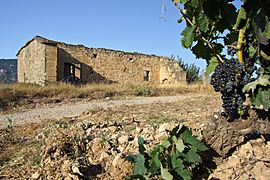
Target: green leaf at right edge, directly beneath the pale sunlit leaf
261 99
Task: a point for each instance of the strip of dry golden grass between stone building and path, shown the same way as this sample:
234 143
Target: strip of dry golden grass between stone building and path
16 95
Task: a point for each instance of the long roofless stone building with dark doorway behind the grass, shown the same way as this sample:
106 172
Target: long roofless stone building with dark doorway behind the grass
42 61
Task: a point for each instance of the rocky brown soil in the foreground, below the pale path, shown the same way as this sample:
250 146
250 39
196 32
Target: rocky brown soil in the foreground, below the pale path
95 144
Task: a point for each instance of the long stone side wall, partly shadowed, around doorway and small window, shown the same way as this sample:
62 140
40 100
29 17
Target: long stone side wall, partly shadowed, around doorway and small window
99 65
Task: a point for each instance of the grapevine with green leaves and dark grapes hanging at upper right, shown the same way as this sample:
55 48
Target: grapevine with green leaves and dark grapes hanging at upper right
243 74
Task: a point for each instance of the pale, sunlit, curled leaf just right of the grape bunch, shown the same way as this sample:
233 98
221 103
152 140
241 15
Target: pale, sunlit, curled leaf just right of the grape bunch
264 80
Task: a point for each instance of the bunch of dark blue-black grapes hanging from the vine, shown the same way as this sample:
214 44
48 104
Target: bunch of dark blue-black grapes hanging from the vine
229 78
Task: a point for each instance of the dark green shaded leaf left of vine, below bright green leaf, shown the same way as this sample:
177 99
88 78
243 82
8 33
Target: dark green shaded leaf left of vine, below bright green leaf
201 51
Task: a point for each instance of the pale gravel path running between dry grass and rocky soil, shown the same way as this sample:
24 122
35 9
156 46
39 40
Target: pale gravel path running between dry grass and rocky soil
75 109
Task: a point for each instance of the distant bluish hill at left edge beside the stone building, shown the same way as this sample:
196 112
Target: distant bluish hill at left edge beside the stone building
8 70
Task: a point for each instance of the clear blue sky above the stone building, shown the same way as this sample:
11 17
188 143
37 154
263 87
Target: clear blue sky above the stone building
133 26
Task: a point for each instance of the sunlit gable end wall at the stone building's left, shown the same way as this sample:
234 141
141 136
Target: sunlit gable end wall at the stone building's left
31 63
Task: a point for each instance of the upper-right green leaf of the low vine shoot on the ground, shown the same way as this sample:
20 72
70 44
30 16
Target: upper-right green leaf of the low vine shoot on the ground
192 140
